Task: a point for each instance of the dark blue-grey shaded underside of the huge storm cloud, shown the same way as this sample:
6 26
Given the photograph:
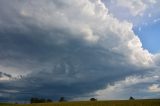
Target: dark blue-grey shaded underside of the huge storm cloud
72 69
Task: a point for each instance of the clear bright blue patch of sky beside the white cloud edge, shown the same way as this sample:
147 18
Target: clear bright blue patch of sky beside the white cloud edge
149 36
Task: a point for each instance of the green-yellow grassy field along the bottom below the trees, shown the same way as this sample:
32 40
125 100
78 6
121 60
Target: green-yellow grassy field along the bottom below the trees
97 103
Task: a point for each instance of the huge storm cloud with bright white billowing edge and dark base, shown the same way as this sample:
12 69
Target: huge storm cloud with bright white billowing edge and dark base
65 48
